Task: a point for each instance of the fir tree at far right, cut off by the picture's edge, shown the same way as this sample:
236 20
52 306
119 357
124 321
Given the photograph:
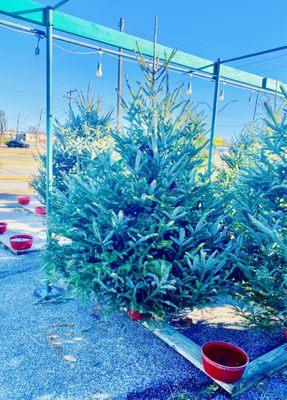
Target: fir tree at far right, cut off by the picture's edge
260 220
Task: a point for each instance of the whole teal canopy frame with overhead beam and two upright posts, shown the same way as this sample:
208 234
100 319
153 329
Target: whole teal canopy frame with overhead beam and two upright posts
52 19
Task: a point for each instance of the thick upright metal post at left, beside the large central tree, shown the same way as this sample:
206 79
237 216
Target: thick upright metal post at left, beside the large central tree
49 112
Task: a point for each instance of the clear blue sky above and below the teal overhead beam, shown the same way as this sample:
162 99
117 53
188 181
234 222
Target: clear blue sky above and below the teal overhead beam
210 29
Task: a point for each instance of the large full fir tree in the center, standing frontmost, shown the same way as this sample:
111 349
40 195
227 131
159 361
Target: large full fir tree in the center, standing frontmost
145 228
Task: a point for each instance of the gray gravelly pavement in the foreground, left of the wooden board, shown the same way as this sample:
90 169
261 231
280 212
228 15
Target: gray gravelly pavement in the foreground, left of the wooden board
114 359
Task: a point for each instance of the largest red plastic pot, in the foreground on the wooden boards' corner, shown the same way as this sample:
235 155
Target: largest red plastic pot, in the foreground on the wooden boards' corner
223 361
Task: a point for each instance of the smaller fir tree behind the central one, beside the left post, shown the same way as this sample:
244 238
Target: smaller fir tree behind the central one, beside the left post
85 133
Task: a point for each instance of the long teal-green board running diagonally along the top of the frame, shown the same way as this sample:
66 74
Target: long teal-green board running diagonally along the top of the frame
33 11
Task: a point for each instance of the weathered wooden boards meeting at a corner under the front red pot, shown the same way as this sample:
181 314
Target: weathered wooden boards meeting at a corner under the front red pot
255 372
